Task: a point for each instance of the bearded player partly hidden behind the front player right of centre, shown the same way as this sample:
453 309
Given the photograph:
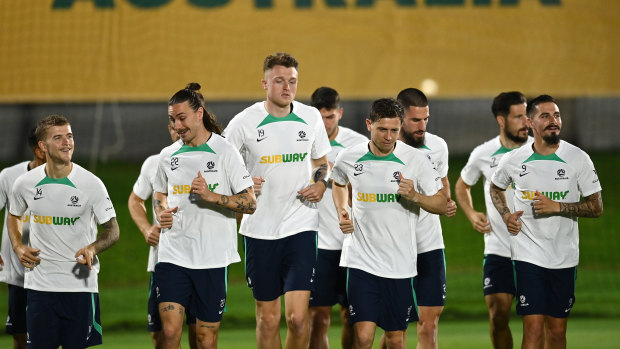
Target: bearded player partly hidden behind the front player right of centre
430 283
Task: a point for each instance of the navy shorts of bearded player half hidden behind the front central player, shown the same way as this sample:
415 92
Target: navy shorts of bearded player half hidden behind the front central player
430 283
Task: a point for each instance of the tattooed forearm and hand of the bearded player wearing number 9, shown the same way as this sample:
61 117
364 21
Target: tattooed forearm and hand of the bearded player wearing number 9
591 206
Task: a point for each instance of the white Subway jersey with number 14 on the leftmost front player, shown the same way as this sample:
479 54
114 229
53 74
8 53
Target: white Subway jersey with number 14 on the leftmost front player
64 214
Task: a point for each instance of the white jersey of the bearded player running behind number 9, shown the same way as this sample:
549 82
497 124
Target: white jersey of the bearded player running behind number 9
483 161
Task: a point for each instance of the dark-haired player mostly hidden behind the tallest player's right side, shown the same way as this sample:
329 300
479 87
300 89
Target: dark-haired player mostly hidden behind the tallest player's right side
330 280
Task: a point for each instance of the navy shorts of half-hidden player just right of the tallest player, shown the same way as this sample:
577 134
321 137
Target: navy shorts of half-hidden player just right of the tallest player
330 282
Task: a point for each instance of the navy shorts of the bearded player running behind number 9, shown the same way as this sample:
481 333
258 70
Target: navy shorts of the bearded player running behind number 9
499 276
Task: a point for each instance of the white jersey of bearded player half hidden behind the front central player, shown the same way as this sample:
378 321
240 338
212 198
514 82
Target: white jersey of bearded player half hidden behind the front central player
429 234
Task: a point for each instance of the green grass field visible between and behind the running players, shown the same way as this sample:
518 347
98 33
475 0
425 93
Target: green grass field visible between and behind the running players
595 318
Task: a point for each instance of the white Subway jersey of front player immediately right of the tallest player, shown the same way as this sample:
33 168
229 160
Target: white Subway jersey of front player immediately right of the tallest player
383 242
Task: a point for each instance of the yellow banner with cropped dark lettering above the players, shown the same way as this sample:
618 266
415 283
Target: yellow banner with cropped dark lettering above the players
145 50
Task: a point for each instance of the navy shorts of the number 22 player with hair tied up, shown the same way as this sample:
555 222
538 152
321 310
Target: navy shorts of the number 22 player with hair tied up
201 291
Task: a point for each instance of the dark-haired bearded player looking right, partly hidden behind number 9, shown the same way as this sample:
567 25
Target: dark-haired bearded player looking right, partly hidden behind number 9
498 276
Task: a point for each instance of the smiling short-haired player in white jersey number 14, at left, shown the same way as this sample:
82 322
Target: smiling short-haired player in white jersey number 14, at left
65 202
